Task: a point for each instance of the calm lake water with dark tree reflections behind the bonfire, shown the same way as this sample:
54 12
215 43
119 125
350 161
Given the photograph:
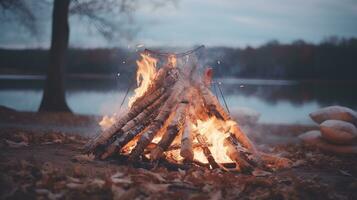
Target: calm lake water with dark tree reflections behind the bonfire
277 101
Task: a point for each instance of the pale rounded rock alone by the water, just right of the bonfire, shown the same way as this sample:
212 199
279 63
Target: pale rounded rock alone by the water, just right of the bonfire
245 115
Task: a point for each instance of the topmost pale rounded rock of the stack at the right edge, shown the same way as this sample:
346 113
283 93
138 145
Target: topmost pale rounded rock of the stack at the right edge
334 112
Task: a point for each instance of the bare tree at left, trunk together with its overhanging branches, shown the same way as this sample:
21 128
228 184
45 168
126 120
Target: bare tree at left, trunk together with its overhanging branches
95 11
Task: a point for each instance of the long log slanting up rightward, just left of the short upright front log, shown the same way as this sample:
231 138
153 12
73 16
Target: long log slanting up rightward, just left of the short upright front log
173 129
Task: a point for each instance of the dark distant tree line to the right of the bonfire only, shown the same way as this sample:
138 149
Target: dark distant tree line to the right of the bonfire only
334 58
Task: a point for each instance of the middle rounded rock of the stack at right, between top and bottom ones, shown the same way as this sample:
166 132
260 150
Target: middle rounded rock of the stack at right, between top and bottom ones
338 132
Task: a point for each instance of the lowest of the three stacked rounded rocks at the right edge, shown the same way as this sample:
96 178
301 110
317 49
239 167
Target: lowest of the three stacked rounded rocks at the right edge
314 138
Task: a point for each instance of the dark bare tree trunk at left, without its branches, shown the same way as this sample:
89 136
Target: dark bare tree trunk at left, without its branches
54 93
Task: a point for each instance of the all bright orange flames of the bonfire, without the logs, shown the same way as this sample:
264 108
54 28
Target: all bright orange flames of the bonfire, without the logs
213 129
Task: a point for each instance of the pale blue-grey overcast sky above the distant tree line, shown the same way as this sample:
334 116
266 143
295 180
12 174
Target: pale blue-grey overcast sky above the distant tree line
236 23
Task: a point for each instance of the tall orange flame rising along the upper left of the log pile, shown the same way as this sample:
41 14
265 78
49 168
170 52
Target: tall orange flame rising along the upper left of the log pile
144 76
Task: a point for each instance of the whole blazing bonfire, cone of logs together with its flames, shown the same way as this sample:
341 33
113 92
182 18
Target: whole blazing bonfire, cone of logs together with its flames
173 115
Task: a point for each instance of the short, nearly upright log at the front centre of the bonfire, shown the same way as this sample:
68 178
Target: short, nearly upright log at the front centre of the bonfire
186 141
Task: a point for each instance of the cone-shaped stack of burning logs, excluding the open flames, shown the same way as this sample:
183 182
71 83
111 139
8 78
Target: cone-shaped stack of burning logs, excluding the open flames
176 99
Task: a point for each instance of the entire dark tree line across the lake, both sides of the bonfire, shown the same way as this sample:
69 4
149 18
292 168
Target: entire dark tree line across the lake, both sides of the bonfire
334 58
